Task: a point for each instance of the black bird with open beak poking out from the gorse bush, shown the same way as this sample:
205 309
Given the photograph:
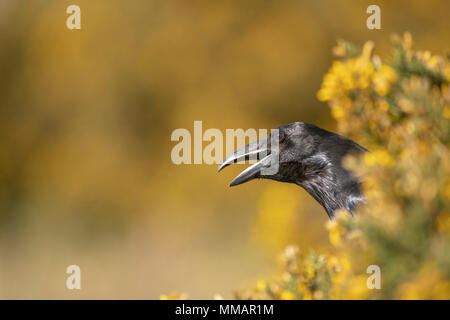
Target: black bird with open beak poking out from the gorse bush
308 156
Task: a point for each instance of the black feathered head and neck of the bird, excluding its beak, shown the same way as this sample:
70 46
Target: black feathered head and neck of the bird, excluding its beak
312 157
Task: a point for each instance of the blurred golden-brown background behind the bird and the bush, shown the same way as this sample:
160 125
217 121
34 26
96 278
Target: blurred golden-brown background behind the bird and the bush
85 123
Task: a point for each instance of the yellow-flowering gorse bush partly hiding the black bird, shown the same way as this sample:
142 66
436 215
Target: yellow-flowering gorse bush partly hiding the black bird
399 109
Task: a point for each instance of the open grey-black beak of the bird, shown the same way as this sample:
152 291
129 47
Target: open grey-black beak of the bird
257 150
